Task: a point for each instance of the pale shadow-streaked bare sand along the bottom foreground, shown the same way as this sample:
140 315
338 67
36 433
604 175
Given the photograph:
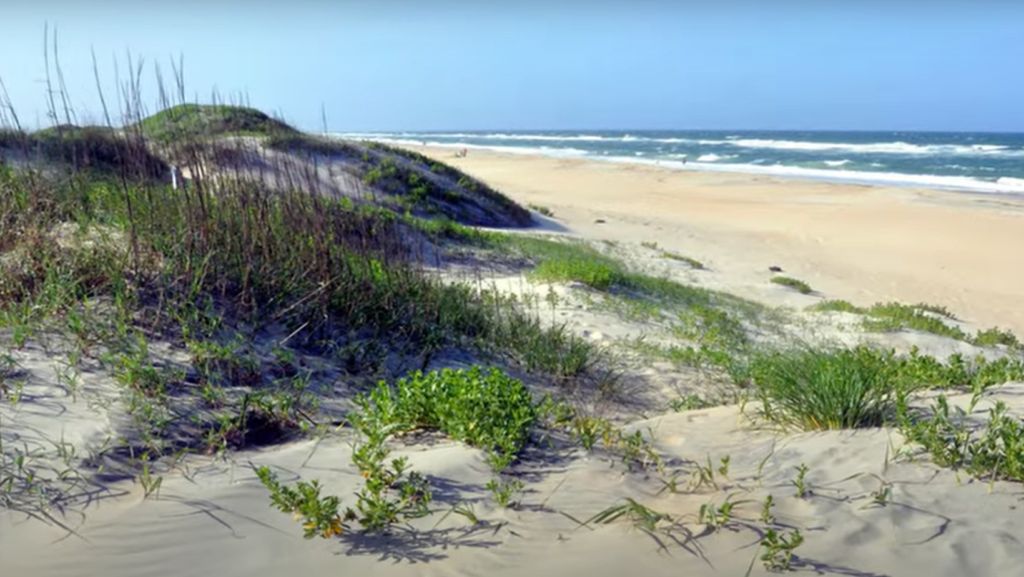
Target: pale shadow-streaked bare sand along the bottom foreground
220 522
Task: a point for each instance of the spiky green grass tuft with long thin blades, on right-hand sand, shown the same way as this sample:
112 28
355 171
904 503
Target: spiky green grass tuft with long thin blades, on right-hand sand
815 390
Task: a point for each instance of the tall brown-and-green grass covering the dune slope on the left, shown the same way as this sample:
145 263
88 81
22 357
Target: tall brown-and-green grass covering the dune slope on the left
245 279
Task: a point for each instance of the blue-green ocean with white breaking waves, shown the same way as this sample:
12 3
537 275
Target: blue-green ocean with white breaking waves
983 162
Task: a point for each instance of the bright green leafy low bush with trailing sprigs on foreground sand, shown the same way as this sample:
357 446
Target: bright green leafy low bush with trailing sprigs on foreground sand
487 410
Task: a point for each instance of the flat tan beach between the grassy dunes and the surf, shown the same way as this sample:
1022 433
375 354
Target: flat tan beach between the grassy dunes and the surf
854 242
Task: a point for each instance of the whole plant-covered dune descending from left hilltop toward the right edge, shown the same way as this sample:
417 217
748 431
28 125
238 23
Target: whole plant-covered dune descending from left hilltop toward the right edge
235 312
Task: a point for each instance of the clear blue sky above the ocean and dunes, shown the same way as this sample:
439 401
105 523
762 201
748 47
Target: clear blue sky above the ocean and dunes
451 65
